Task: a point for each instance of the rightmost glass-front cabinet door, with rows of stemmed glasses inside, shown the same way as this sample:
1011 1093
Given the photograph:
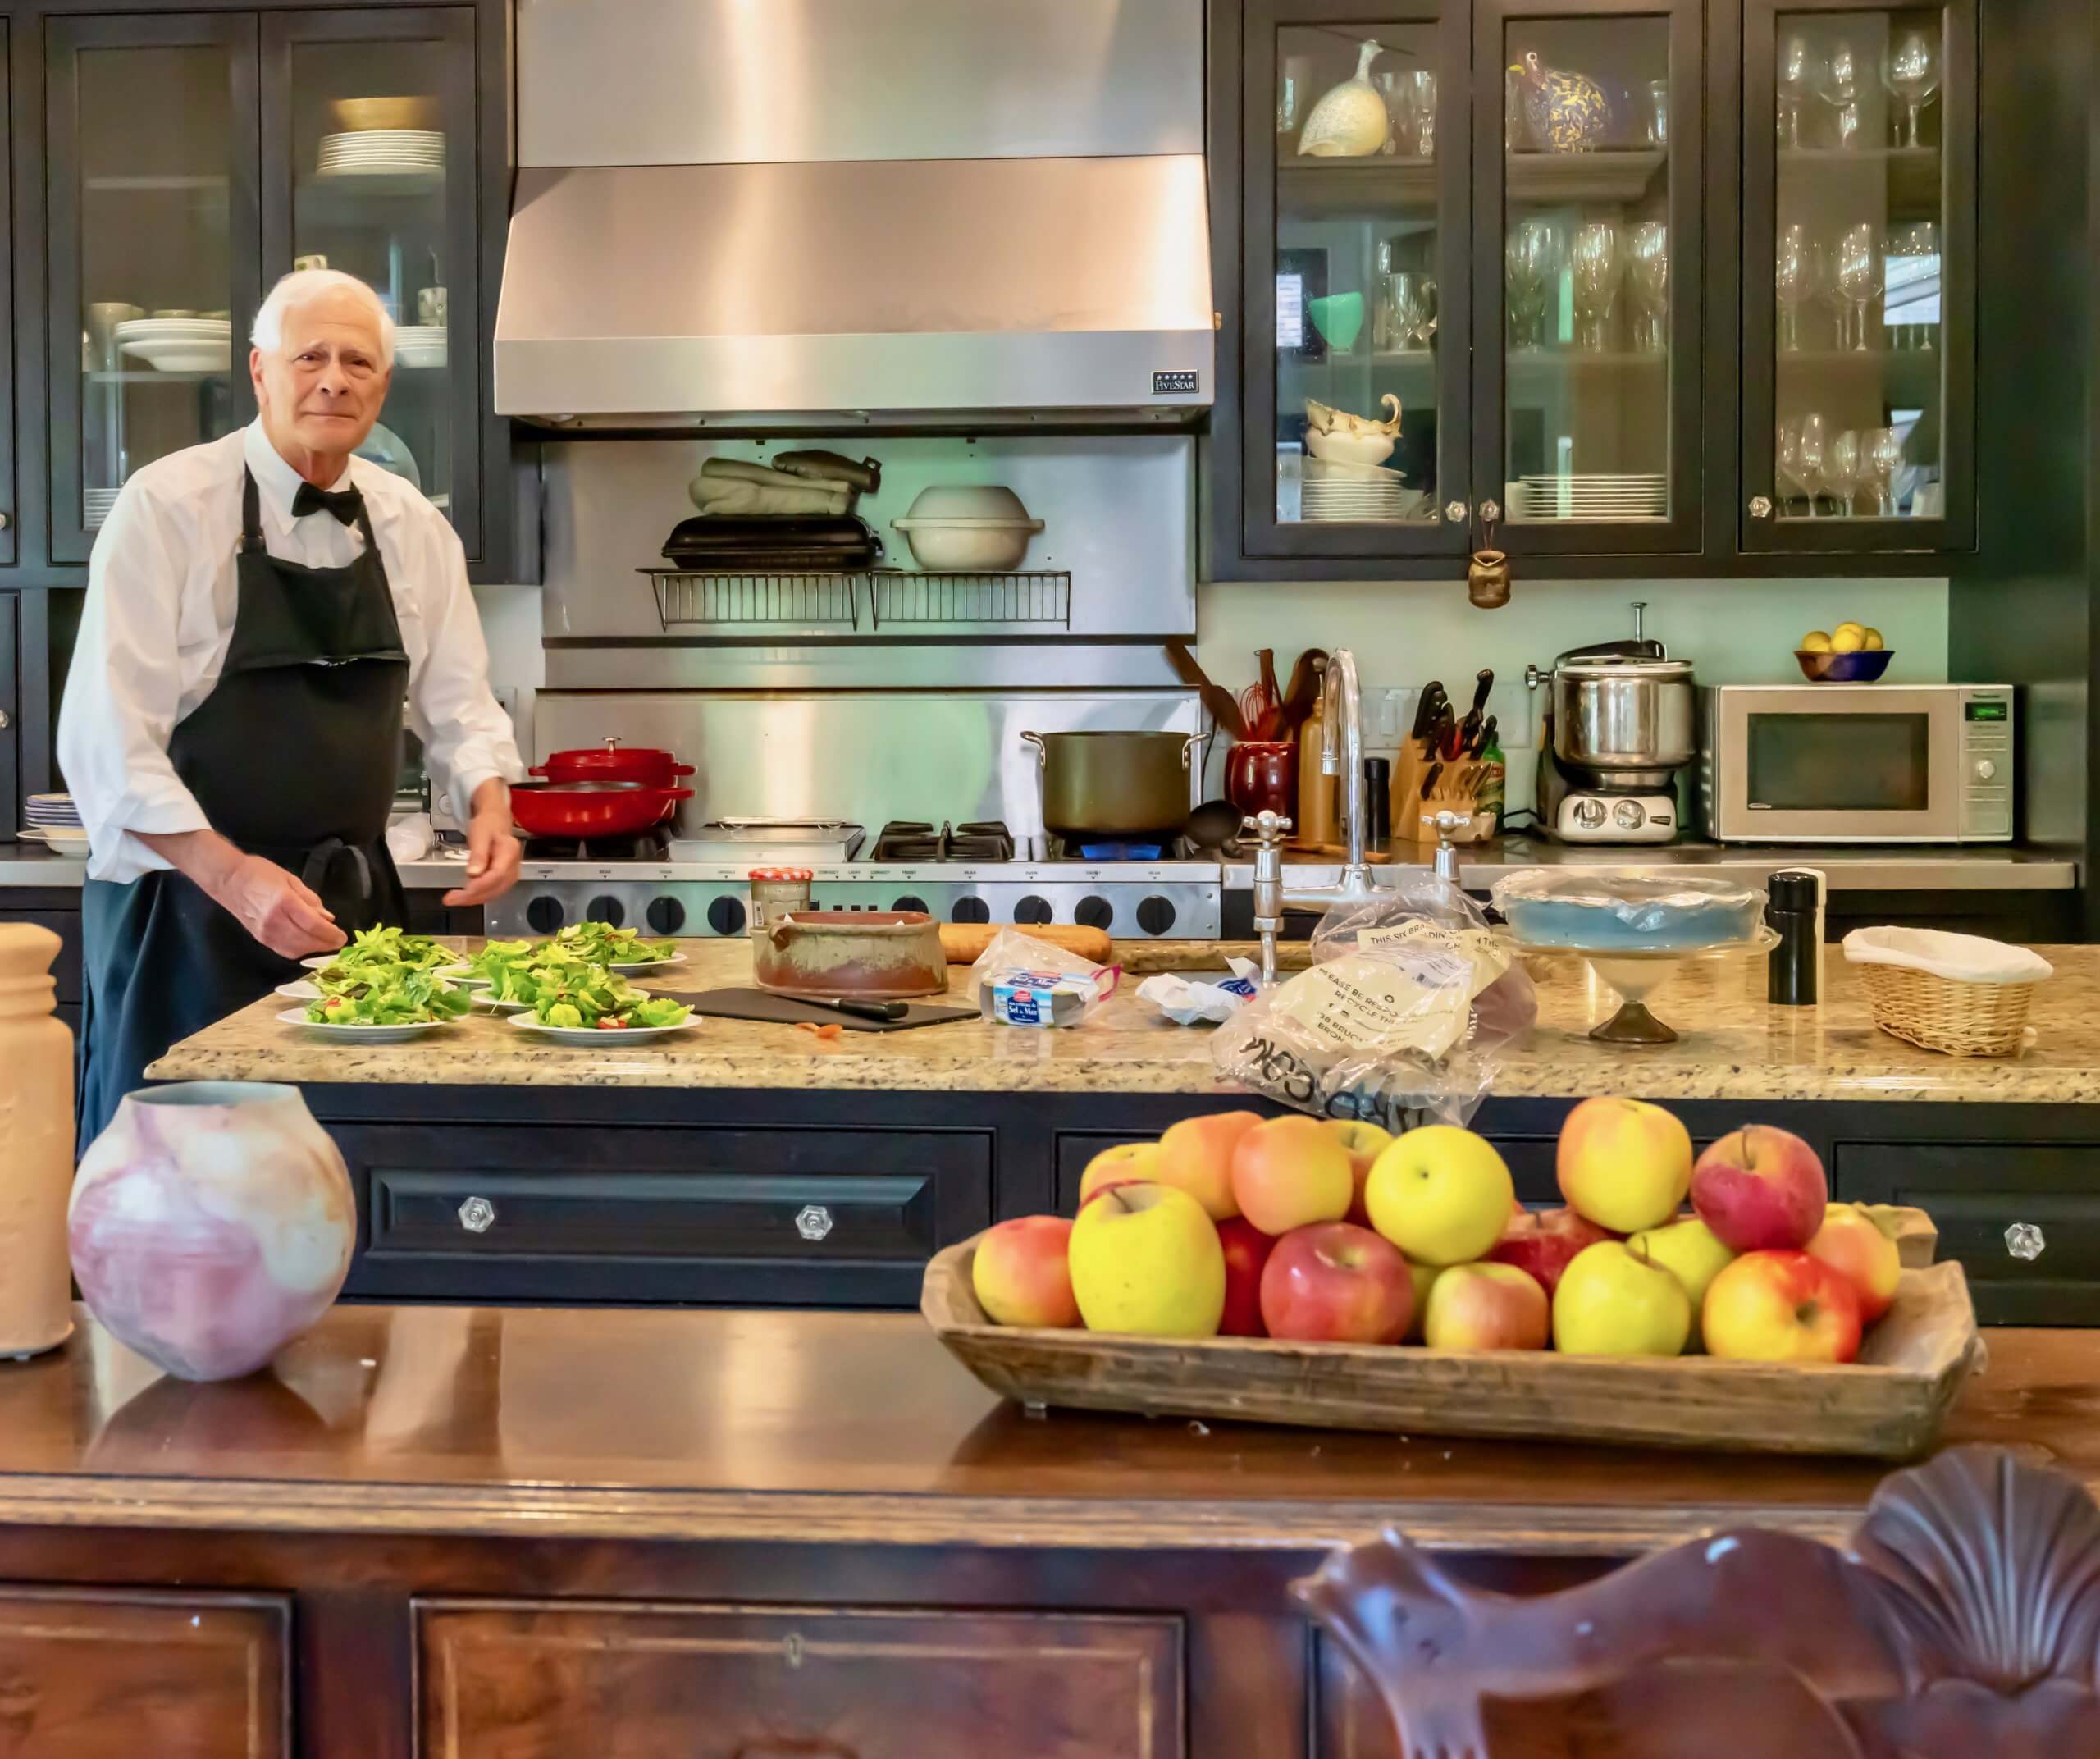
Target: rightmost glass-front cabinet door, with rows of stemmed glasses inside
1860 163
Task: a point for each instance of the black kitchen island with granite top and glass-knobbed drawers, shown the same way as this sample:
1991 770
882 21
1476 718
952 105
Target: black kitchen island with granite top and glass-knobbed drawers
757 1164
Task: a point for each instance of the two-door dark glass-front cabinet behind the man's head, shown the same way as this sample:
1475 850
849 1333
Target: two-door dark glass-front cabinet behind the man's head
196 158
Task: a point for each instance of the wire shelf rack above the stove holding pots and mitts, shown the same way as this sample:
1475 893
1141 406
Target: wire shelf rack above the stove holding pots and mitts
896 599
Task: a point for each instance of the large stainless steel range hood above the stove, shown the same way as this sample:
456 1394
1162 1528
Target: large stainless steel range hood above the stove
818 213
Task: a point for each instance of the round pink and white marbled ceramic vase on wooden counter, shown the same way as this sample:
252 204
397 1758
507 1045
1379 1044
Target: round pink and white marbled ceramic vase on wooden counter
211 1225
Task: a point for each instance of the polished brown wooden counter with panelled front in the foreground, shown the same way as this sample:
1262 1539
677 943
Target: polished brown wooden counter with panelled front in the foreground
488 1533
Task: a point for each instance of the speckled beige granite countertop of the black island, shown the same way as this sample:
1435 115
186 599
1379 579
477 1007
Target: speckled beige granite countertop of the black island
1736 1046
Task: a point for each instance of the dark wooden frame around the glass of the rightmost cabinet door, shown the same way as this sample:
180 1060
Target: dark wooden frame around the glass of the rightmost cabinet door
1958 299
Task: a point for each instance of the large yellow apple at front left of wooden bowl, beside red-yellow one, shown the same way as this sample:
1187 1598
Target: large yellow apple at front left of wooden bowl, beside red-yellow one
1146 1260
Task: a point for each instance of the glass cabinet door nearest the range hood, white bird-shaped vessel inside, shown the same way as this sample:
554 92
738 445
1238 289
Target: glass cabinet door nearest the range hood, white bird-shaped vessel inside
1358 320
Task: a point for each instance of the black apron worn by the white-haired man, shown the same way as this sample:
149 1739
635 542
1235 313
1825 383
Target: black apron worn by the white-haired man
293 757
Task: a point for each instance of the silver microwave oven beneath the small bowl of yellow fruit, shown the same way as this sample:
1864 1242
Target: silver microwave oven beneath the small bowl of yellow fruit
1857 763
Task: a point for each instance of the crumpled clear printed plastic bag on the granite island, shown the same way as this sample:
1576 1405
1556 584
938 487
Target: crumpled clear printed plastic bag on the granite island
1400 1021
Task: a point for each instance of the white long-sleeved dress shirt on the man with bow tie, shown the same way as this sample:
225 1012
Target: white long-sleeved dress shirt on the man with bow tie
159 622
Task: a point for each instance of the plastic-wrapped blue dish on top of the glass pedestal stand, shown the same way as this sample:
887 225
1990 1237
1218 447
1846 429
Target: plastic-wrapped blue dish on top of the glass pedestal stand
1626 910
